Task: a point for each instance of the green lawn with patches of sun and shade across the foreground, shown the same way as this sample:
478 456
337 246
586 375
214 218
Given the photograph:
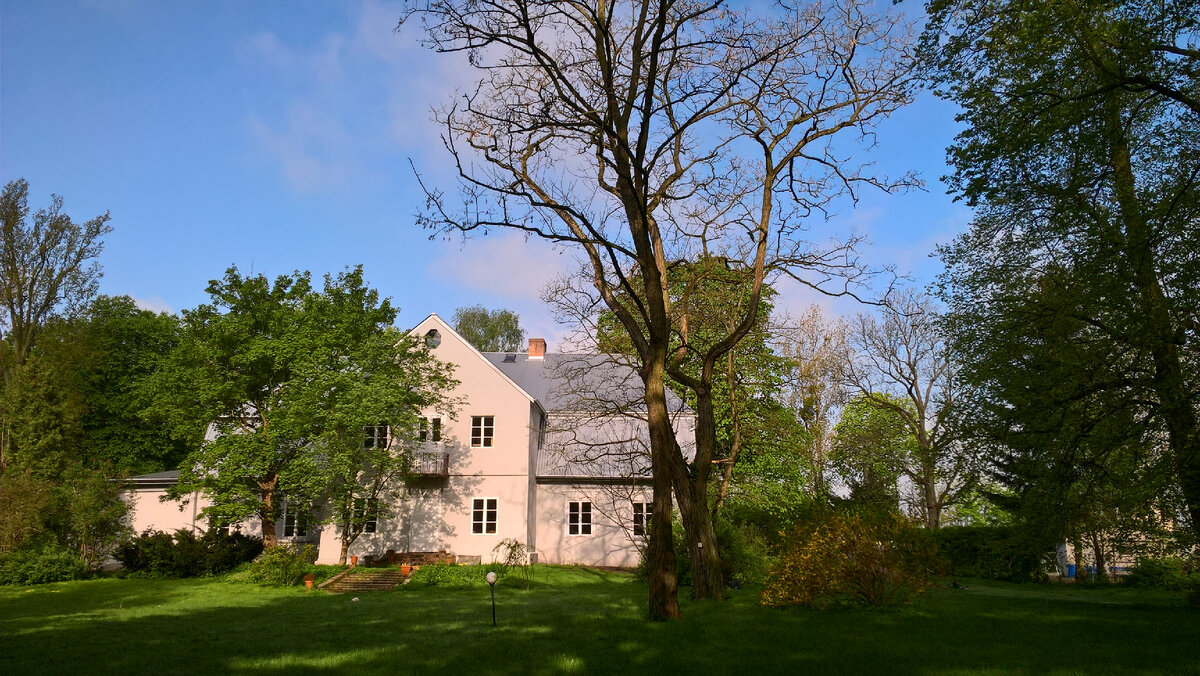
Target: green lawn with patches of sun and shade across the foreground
581 621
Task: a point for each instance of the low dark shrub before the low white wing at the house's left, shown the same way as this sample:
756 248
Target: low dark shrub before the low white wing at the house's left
160 555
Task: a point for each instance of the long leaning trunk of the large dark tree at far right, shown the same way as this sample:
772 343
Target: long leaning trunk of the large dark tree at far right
1168 381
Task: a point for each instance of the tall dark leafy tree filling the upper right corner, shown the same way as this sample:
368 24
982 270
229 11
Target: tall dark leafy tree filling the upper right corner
1081 158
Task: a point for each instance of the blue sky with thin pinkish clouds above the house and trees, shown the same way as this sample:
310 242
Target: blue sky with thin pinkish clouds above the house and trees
278 136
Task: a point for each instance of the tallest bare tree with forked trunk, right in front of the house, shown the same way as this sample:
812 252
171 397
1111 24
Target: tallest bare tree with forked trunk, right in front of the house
651 133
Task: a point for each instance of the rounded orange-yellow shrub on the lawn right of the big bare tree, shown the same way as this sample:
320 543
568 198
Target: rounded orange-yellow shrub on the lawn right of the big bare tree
849 558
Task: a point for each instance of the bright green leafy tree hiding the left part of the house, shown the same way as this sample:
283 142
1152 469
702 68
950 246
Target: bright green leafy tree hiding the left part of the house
263 368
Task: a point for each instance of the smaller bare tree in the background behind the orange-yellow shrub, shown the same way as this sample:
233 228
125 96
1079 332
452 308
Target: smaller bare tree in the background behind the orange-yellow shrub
907 356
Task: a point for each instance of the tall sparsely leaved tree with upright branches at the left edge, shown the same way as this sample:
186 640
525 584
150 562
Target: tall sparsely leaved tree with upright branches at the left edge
47 268
